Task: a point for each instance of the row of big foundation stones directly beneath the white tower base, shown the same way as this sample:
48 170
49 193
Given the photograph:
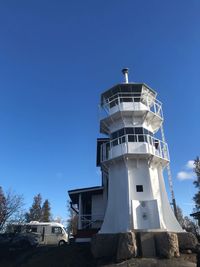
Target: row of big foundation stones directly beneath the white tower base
124 246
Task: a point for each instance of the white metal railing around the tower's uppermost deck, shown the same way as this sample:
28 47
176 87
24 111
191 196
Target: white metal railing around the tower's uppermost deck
118 99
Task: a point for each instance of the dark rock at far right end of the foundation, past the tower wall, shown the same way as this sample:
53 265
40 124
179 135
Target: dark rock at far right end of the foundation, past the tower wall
187 241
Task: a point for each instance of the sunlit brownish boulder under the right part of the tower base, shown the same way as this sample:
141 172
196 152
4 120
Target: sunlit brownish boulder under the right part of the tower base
167 245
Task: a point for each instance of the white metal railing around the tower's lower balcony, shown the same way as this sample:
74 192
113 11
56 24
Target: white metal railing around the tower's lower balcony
154 146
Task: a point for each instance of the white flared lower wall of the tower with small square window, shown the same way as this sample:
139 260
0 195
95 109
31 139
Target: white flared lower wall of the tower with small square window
128 209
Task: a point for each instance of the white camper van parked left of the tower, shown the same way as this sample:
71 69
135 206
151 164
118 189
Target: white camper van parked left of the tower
47 233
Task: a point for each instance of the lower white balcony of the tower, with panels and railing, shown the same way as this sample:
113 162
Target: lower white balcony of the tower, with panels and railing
134 145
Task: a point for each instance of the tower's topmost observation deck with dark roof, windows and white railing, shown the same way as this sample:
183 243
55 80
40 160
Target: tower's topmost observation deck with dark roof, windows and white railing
130 100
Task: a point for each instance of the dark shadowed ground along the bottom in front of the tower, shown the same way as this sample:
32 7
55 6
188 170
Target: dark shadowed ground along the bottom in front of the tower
80 256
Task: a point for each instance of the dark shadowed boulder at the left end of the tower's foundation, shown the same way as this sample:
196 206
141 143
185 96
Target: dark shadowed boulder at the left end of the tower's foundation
104 245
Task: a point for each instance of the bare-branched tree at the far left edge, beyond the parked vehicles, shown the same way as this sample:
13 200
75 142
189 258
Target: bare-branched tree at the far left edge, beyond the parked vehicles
10 207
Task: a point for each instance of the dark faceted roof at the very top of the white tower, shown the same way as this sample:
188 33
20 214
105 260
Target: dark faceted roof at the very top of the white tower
126 88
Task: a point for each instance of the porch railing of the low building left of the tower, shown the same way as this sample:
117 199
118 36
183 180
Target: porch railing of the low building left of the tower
88 221
